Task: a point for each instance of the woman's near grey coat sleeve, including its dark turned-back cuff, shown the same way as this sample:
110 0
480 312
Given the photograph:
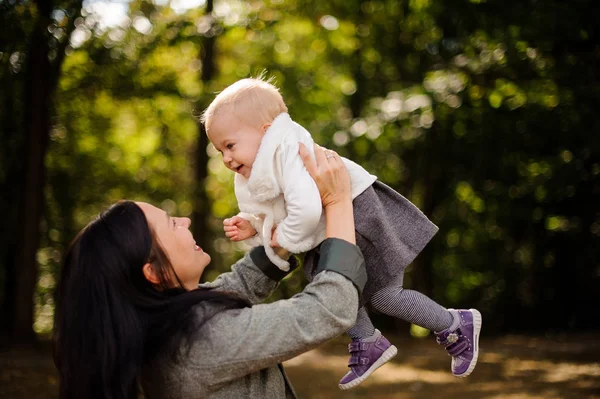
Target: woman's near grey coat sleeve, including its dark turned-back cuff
237 342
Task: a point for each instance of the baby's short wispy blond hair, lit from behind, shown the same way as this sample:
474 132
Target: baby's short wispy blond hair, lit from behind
252 100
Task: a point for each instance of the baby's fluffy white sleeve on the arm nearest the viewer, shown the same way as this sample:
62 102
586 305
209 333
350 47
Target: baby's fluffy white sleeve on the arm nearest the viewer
296 232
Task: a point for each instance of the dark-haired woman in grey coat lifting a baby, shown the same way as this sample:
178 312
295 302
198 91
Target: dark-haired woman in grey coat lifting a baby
130 310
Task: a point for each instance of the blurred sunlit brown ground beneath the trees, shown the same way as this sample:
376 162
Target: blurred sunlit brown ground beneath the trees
510 367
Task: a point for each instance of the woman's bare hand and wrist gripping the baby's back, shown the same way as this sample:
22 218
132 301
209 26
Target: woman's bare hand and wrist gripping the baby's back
330 174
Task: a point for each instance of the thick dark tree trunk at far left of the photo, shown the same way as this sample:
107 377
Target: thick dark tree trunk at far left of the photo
41 77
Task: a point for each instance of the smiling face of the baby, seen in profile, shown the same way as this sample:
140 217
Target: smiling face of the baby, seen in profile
236 141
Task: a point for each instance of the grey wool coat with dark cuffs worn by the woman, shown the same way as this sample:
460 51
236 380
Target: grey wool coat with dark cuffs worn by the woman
237 353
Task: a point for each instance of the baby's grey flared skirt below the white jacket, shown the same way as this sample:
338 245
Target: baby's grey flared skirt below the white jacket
390 231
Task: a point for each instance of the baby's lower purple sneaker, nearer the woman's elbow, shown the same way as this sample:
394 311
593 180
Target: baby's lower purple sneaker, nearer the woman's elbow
366 356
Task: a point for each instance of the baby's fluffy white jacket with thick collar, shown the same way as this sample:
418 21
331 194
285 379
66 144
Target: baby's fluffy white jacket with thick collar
280 191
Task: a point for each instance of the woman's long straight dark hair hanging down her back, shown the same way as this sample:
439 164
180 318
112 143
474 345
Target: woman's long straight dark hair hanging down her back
109 318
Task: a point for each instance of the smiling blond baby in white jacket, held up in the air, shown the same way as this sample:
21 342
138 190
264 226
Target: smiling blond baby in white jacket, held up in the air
248 123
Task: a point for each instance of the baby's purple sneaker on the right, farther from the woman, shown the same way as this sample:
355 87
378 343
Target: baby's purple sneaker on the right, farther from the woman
461 340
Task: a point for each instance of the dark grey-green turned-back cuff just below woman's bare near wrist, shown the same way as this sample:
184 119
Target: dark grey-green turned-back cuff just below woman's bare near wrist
344 258
